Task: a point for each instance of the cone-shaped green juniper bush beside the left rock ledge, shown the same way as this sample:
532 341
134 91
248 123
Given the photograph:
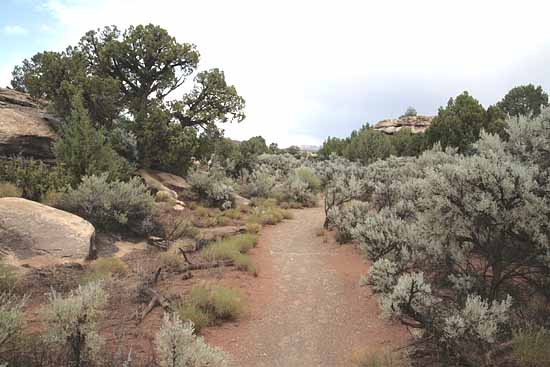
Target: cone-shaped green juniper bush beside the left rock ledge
84 151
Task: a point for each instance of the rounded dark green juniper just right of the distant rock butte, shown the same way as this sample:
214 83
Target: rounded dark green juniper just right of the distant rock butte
460 123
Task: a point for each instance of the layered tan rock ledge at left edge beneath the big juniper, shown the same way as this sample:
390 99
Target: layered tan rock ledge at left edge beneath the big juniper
25 126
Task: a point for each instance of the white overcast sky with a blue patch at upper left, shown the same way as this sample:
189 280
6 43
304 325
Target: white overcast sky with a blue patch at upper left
309 69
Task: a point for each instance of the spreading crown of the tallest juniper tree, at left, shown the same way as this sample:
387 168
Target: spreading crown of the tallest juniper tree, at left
122 74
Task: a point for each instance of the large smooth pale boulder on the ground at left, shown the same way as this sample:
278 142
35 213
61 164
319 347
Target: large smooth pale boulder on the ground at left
41 235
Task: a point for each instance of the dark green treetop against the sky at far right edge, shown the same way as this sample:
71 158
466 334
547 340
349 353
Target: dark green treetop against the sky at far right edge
525 100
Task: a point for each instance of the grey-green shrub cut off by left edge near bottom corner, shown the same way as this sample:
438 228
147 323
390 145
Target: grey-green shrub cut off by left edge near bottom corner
12 320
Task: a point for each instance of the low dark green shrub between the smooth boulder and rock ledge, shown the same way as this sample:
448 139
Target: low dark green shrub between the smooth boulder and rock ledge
32 177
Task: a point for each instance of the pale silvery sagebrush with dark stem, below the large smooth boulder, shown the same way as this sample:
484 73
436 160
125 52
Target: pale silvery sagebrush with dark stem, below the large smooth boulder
72 322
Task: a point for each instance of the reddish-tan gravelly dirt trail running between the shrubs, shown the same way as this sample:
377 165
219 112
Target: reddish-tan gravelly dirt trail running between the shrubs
306 308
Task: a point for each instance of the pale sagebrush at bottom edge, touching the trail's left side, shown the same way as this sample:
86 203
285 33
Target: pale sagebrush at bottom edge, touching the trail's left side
177 346
